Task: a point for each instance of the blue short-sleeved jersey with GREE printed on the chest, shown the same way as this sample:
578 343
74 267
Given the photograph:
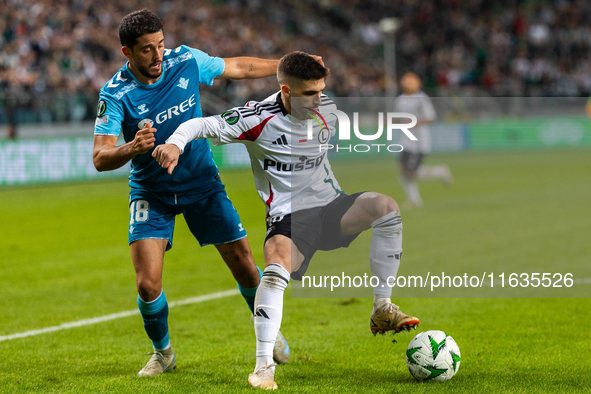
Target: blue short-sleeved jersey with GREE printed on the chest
127 105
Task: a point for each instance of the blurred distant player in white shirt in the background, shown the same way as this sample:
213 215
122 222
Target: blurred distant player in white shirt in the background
415 101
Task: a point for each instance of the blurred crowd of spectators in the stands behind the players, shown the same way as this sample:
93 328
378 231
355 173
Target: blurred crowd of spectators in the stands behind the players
55 55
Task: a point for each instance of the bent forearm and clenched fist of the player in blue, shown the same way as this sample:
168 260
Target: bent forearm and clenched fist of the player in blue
106 156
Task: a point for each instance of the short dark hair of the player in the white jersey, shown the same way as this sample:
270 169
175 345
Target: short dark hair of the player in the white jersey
300 66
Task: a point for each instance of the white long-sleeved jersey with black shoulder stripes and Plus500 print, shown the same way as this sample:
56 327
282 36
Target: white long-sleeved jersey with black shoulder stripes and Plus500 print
291 173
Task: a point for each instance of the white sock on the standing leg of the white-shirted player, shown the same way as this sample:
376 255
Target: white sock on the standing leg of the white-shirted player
268 311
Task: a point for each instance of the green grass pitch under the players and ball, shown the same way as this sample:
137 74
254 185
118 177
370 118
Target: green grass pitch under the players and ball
64 257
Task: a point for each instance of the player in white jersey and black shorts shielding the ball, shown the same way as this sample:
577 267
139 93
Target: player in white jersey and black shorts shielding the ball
306 208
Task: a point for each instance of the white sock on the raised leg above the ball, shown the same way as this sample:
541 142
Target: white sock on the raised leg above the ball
385 253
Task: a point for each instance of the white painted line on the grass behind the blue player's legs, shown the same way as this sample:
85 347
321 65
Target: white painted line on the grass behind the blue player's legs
119 315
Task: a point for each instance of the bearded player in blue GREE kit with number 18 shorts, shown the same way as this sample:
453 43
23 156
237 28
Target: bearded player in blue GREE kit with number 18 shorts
156 91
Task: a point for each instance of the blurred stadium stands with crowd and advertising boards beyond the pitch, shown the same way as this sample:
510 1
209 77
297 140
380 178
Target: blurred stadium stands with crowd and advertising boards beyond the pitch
56 55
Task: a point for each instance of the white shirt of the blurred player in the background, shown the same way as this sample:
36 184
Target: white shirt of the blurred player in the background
420 105
